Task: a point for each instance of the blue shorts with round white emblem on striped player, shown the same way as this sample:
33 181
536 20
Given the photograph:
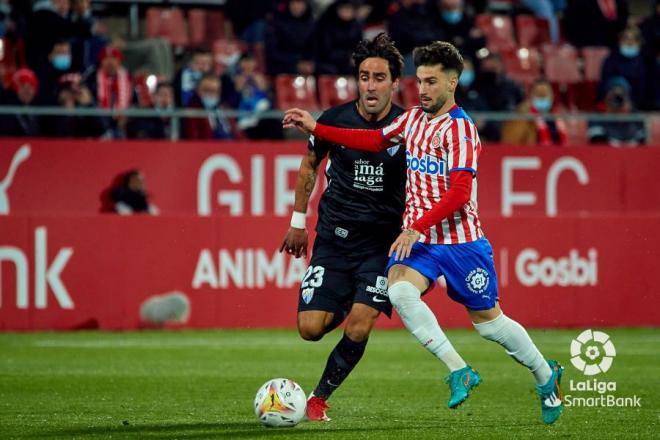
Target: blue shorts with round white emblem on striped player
467 267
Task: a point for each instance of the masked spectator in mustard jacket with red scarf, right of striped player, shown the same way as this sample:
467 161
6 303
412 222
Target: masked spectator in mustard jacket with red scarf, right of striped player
544 129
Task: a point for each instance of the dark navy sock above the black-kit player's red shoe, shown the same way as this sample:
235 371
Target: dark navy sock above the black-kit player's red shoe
342 360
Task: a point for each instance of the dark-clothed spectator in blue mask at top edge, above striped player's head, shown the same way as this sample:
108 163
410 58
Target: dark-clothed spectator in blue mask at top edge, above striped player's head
457 23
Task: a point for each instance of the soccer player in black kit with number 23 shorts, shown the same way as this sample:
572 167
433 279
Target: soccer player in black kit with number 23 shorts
359 213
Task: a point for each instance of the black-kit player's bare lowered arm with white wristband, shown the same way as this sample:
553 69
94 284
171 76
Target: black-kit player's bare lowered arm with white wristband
296 240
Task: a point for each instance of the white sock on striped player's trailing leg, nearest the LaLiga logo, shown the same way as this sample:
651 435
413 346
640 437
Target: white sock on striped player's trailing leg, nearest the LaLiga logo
517 343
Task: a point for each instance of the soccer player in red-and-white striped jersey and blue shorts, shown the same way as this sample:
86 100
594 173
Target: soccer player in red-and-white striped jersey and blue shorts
442 235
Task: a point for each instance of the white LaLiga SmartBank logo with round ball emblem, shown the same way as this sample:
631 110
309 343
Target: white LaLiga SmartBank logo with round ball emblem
593 353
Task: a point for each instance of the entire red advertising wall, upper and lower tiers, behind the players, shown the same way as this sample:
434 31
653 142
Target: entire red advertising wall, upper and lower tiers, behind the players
589 261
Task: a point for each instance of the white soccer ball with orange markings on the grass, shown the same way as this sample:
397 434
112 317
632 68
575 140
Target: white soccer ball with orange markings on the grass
279 403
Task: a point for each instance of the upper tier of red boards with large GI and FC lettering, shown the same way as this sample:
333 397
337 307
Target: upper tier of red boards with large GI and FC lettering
256 179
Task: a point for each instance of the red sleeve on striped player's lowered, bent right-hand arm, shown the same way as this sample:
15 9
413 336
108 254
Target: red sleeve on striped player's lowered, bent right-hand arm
460 188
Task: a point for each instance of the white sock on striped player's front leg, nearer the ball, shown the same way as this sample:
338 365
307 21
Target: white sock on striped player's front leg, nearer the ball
421 322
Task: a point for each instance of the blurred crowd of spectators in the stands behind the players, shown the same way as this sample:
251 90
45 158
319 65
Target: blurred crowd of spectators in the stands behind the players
536 57
